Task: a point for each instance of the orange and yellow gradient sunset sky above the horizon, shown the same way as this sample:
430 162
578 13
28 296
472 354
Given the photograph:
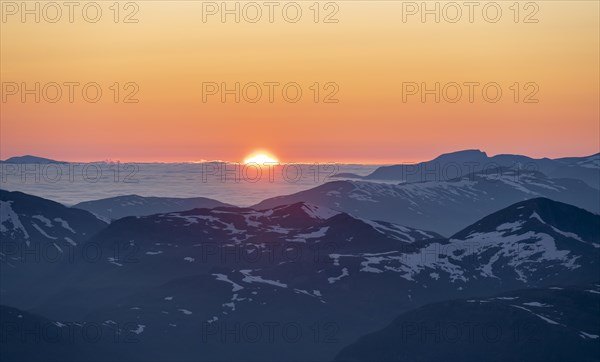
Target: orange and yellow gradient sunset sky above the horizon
170 52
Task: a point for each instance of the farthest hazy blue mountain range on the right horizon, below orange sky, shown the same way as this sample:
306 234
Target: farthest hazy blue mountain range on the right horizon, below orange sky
456 164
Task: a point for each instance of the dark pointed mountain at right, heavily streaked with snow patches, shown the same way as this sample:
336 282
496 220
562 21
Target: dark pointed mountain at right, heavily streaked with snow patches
531 243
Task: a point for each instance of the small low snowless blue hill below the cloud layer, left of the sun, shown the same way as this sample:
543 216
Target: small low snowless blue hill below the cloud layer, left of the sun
133 205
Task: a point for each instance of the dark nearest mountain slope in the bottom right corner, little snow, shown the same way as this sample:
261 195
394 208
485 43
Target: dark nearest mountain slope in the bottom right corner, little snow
549 324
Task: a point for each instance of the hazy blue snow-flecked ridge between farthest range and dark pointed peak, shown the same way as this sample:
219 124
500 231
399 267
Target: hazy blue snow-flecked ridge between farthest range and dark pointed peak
442 206
